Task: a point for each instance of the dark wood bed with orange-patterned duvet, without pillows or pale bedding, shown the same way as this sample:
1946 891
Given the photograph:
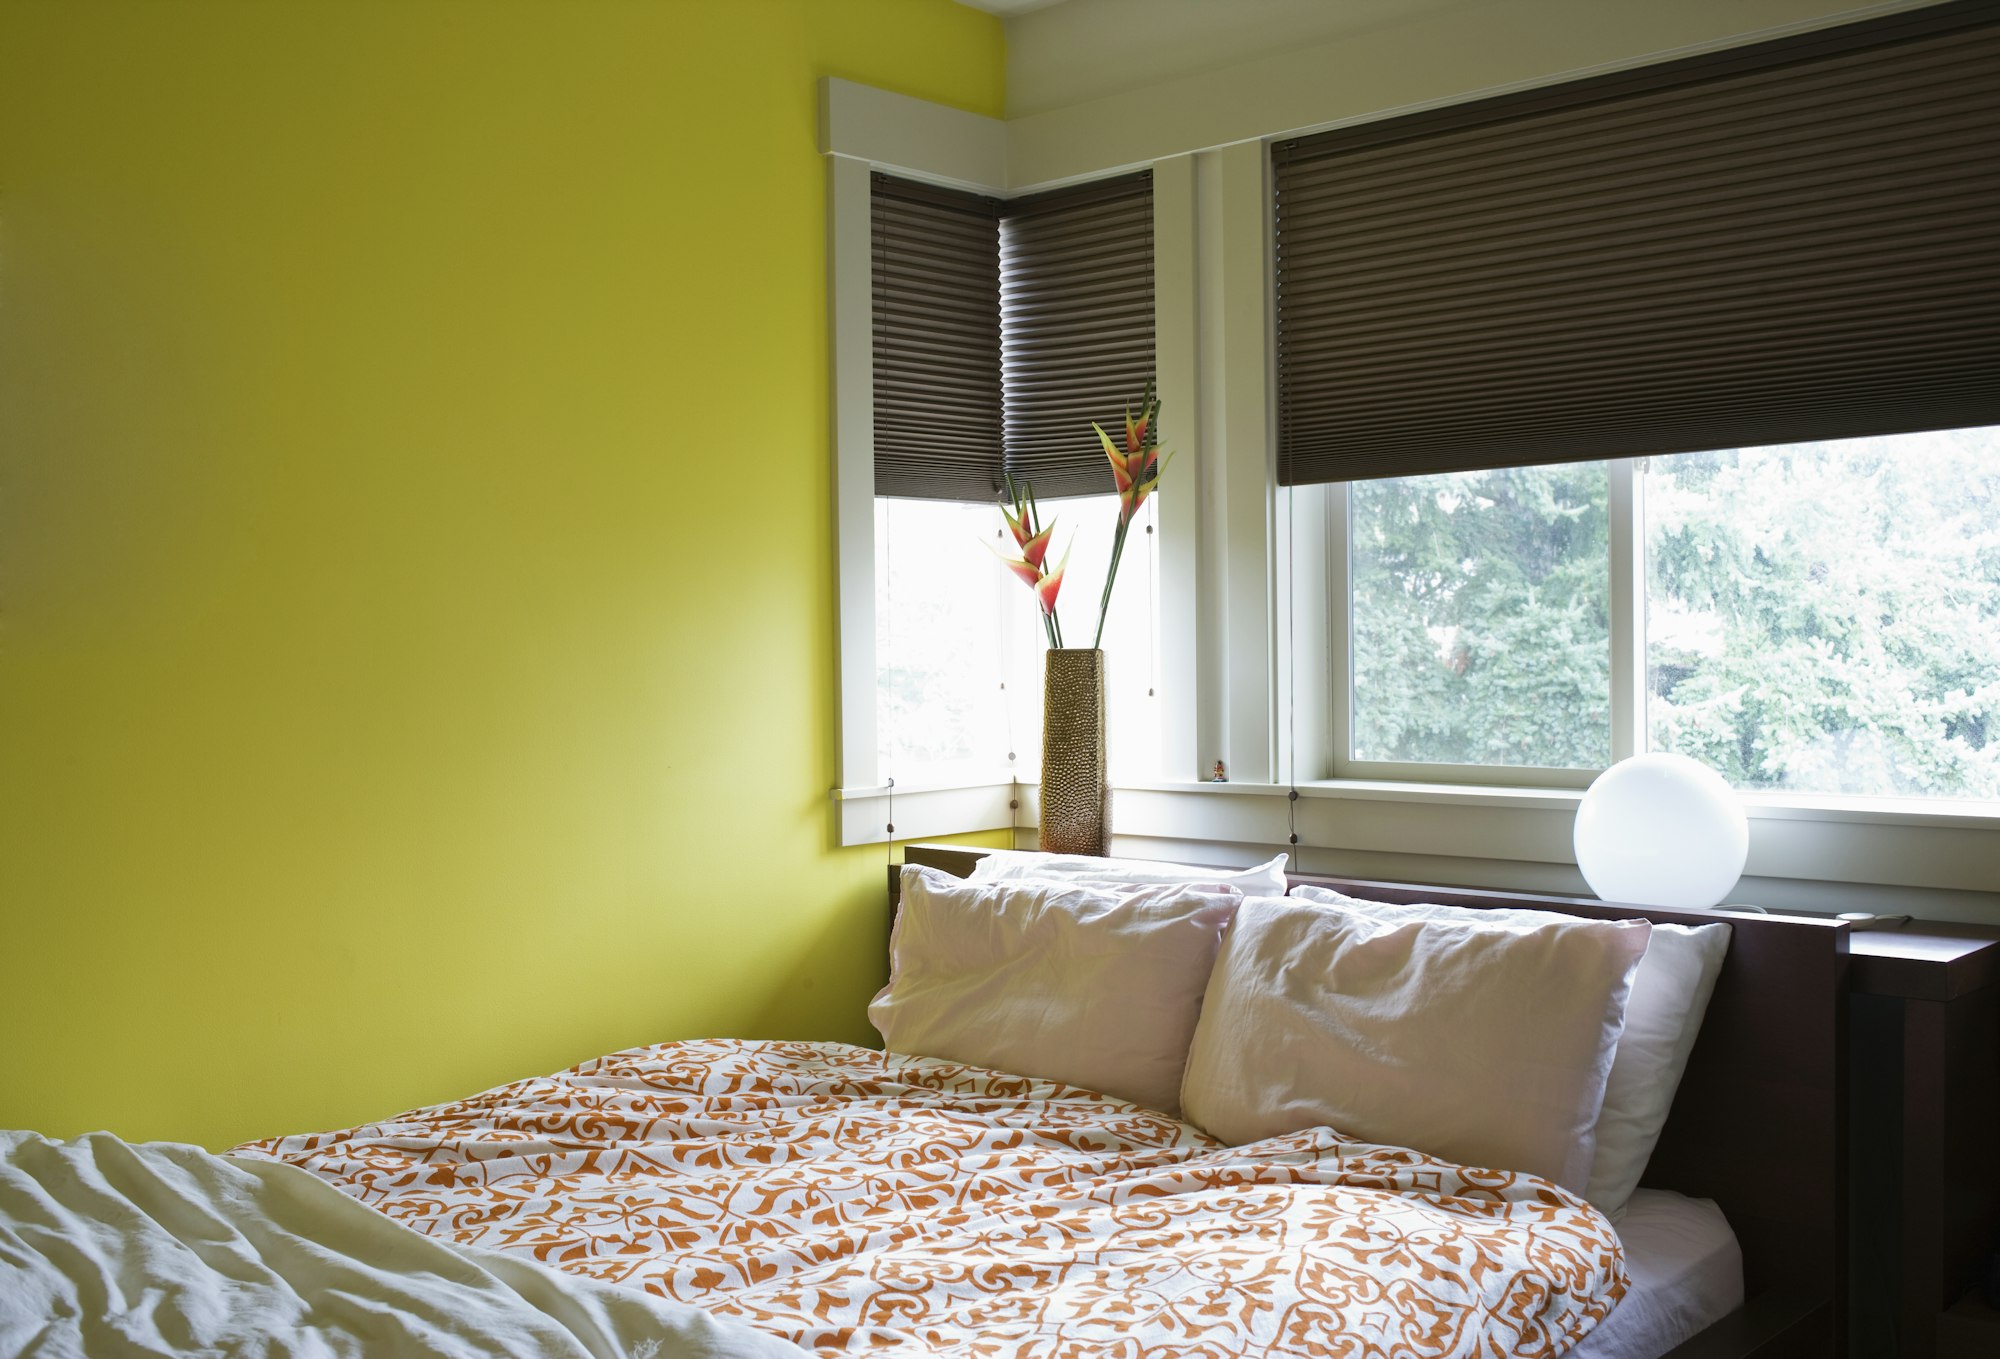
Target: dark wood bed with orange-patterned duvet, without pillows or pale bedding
843 1200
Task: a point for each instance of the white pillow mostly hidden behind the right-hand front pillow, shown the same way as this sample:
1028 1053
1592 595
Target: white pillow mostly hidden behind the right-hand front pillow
1663 1018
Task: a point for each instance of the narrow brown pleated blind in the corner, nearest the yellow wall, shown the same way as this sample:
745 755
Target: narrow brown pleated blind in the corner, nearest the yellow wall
937 343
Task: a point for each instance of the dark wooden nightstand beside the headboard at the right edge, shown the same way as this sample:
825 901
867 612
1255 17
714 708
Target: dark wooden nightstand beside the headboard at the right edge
1927 1122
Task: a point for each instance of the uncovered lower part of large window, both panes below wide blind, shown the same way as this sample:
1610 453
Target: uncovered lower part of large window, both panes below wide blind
1815 619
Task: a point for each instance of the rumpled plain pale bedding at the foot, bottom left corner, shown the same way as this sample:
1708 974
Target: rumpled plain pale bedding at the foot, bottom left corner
111 1248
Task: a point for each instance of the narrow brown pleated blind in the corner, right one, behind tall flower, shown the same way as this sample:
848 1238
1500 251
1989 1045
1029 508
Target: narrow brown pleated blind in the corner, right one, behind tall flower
1077 327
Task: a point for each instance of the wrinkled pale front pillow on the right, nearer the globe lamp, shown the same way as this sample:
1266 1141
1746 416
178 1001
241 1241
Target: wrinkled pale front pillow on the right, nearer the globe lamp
1481 1046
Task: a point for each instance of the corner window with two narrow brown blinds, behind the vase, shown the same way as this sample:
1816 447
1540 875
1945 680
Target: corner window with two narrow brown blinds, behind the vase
1001 331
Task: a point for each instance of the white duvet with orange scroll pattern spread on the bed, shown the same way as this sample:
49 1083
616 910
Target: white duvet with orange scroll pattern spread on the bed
859 1202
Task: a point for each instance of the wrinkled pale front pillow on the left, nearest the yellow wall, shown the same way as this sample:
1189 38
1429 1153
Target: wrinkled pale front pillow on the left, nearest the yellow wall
1055 980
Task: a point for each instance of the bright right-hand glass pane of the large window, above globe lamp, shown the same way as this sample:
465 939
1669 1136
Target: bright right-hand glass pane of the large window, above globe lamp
1825 619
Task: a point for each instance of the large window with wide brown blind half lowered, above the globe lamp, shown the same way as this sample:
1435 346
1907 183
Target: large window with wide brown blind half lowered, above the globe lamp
1485 315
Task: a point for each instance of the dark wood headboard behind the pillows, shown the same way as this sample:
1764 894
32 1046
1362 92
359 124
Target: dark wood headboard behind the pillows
1759 1122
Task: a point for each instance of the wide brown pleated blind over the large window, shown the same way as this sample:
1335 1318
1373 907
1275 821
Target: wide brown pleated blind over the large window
1793 241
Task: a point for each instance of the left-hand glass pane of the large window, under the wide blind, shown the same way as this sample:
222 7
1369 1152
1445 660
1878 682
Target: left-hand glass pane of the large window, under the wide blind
1481 619
